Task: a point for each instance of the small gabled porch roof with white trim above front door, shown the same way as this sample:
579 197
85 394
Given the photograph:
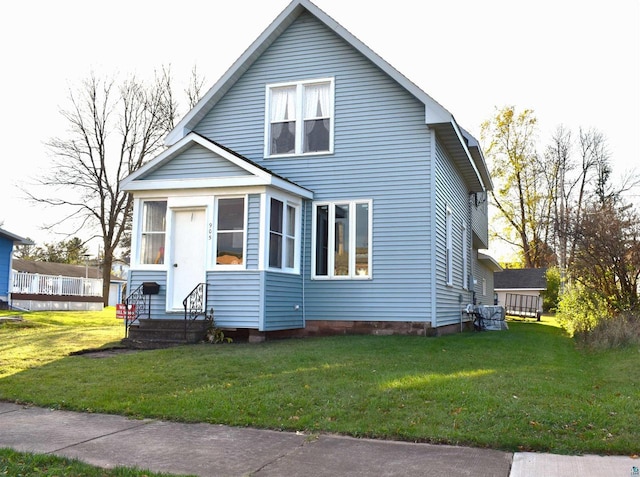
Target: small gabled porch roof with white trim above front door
255 175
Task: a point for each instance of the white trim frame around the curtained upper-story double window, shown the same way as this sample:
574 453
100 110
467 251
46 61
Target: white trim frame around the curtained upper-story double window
299 117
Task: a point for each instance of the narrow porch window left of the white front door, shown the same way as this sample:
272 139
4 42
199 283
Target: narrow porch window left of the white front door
154 223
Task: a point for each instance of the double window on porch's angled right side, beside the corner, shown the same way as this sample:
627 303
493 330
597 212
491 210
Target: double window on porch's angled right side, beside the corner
282 234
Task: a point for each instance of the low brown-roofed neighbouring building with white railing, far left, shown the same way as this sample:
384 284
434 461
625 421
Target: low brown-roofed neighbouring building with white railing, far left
60 286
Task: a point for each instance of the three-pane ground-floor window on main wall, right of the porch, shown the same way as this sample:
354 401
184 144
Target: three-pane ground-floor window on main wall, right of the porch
342 240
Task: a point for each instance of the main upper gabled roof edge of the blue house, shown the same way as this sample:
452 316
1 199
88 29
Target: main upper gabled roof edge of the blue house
461 145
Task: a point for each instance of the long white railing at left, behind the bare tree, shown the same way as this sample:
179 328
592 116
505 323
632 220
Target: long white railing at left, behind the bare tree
37 284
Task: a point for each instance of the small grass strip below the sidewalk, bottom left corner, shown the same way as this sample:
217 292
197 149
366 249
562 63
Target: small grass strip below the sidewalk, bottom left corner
25 464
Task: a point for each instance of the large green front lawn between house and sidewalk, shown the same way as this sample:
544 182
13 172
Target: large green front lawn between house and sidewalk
527 388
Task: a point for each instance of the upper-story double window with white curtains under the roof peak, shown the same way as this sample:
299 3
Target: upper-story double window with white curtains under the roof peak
299 118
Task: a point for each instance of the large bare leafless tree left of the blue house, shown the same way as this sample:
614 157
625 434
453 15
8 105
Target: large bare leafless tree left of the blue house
114 128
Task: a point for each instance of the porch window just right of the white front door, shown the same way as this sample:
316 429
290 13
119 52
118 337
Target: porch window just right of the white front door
230 231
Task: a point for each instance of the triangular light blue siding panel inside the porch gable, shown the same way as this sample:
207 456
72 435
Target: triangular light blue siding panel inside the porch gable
196 162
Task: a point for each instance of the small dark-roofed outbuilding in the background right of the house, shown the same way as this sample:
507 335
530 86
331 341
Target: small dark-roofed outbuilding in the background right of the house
512 284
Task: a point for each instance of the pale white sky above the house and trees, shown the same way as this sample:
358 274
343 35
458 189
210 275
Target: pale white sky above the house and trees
574 62
